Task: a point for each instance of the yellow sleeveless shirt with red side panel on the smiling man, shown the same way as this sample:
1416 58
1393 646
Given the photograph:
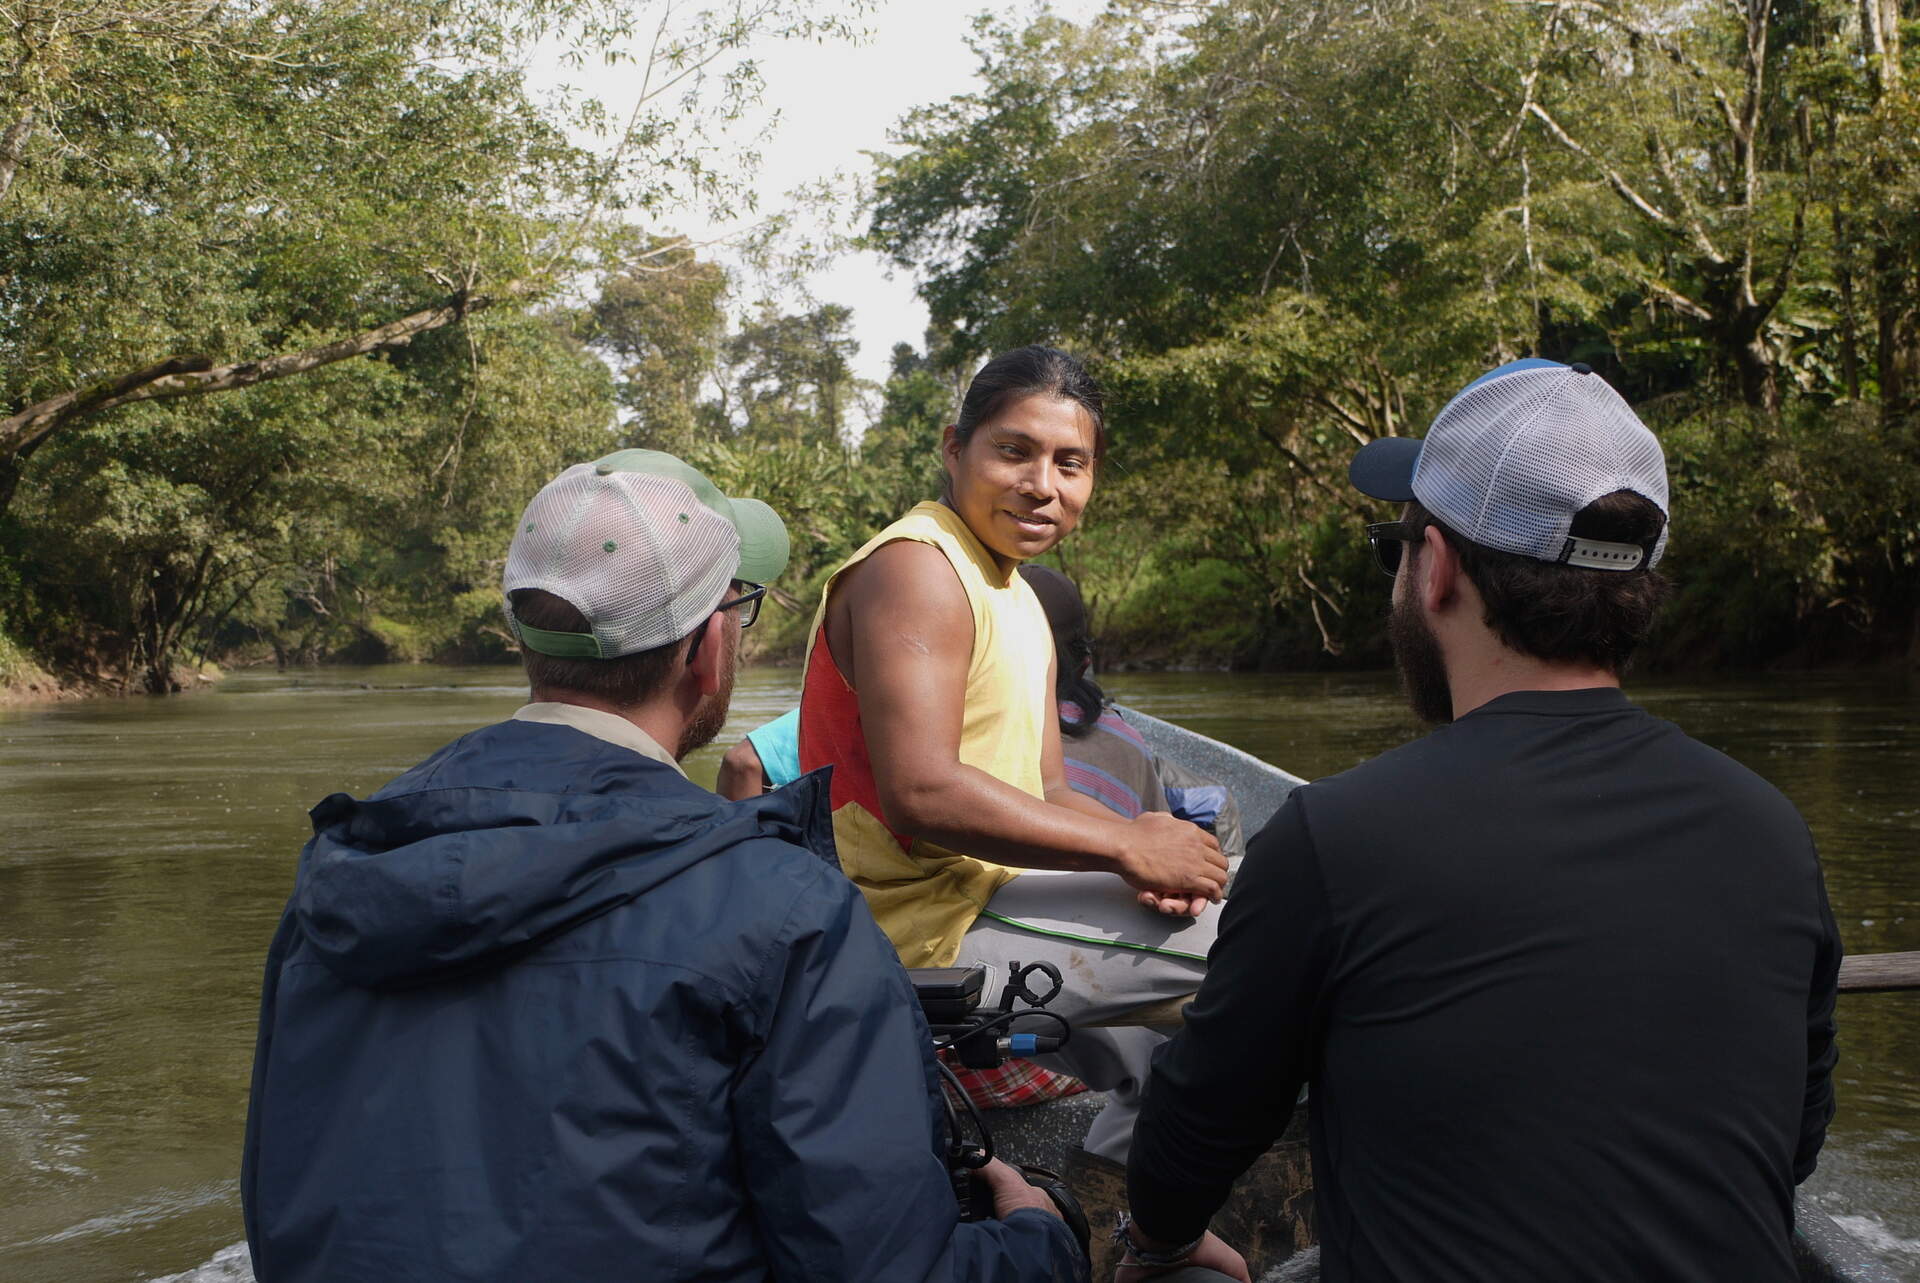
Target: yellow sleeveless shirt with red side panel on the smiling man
923 894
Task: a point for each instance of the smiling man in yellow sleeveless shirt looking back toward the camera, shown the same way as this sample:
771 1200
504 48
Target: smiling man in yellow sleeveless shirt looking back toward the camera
930 690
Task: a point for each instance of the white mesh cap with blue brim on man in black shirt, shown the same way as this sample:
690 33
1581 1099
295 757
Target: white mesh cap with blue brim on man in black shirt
1518 454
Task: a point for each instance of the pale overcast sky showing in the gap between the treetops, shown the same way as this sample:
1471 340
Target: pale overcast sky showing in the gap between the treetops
840 101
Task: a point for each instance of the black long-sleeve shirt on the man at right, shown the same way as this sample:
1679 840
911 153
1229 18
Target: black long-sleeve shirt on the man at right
1562 982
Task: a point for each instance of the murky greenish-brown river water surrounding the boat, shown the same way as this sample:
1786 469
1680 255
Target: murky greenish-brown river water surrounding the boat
149 848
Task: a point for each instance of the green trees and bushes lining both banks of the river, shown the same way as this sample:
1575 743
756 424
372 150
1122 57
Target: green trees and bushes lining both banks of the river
300 299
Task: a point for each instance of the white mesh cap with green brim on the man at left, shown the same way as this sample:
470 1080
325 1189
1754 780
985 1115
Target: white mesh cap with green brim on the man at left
640 545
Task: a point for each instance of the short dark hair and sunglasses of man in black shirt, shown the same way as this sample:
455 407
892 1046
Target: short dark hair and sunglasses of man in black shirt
1556 612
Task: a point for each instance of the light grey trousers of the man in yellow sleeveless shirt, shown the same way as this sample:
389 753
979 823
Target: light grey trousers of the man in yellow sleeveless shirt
1115 957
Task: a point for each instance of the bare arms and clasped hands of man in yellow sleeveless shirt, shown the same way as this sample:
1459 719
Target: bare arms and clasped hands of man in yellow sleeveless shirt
901 631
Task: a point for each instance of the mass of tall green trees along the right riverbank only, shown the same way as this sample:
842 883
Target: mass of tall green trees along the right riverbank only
1284 230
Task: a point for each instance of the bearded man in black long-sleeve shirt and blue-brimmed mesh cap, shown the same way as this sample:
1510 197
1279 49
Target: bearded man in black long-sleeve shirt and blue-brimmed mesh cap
1560 979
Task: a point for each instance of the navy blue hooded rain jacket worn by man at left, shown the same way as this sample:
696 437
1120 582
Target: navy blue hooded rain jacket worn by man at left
542 1009
